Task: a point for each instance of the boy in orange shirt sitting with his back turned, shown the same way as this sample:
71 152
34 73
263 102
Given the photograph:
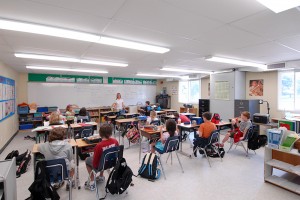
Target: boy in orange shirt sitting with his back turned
205 131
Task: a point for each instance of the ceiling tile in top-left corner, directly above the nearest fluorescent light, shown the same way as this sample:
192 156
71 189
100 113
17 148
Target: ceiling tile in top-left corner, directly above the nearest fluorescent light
33 12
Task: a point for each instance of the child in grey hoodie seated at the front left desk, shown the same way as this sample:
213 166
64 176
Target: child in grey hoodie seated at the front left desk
56 148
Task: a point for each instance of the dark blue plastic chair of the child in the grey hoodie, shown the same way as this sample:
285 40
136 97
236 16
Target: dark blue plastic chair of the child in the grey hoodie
57 170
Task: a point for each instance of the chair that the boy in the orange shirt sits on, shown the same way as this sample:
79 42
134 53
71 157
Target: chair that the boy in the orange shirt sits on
212 140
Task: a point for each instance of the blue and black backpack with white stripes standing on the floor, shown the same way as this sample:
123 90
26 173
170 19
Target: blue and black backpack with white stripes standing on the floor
149 168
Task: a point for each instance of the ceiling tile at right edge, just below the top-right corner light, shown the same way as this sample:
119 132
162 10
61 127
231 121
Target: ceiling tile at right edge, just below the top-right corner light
271 25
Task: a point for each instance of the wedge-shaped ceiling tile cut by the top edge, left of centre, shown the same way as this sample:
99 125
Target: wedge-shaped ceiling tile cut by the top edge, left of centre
103 8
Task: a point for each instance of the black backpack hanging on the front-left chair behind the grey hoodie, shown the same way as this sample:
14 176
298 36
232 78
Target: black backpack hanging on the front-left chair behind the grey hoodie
41 189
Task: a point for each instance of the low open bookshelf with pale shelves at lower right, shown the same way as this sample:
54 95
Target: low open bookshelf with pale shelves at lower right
285 161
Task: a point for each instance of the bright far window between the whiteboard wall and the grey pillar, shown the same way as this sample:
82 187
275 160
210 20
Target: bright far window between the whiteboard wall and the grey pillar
189 91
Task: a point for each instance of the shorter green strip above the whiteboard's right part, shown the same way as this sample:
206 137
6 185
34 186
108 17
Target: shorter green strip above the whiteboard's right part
131 81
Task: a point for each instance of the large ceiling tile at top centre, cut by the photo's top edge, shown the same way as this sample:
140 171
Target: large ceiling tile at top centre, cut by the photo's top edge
160 16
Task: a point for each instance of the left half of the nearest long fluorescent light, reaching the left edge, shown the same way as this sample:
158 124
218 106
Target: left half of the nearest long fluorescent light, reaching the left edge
47 30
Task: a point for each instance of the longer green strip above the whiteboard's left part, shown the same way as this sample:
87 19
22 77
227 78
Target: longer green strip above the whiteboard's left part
57 78
